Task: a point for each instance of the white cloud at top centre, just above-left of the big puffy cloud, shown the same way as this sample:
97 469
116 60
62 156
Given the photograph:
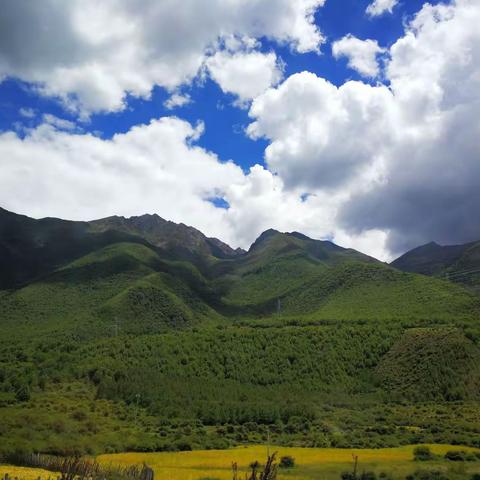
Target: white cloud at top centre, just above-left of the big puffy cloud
245 74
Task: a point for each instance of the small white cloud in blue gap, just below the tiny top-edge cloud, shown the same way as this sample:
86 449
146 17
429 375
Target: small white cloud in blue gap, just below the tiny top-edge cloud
361 54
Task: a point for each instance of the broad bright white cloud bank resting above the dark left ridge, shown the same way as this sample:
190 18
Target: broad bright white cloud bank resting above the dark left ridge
152 167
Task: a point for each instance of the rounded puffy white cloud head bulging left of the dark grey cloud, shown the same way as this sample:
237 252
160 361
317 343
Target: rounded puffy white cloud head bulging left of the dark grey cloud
322 136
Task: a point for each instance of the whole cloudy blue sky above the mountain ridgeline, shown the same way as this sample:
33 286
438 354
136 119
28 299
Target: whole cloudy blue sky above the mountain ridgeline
356 121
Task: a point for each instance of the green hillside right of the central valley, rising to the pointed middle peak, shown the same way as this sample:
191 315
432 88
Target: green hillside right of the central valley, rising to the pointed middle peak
292 275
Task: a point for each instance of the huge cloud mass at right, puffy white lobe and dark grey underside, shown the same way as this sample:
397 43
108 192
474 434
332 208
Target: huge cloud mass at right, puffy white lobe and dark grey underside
403 159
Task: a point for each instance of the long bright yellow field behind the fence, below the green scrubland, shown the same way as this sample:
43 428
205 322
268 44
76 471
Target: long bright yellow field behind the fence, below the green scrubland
311 463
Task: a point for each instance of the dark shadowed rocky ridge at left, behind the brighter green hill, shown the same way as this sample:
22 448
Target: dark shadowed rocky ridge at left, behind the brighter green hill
32 248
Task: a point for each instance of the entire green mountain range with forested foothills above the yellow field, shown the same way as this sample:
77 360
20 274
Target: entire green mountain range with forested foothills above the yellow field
214 344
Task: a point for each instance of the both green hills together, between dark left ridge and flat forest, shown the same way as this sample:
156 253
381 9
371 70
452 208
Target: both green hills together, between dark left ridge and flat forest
139 289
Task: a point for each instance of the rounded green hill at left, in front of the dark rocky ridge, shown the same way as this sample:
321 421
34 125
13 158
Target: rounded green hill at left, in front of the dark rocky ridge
123 286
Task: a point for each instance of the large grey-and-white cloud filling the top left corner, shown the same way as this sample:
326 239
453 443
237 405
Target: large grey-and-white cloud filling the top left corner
93 54
